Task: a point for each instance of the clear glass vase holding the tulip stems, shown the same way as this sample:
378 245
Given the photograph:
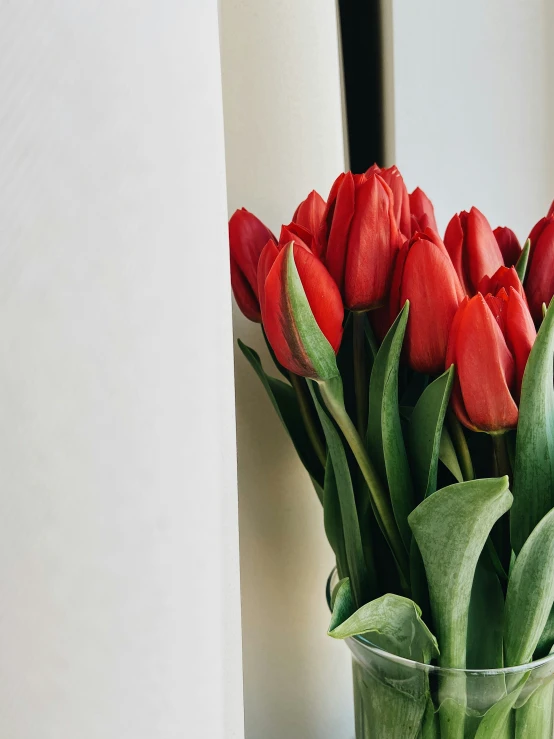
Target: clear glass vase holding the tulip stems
396 698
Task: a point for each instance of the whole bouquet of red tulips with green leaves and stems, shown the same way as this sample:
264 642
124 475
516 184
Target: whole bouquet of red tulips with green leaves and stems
414 376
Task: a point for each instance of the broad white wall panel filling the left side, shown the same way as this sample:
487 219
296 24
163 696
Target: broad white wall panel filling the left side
119 613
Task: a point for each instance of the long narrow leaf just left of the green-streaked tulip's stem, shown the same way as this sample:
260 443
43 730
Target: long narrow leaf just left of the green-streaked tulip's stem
360 580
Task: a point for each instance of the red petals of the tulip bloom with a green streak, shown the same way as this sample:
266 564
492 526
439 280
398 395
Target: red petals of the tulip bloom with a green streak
281 321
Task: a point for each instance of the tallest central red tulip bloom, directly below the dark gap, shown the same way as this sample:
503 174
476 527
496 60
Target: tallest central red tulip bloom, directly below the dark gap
359 239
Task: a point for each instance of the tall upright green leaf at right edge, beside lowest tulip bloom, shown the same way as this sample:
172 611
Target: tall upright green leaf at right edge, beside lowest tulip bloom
534 464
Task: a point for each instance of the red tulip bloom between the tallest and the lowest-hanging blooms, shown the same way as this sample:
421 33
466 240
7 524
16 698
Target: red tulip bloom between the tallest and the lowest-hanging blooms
424 275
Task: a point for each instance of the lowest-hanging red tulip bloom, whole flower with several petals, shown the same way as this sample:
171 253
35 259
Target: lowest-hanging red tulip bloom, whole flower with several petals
489 344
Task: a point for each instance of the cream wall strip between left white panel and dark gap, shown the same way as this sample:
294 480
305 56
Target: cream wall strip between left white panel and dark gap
284 137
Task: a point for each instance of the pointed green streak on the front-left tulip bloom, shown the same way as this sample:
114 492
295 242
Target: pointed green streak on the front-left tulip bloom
312 341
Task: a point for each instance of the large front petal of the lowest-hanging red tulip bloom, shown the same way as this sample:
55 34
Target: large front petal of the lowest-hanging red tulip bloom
486 369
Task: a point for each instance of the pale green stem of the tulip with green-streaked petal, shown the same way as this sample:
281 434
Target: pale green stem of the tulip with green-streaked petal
332 397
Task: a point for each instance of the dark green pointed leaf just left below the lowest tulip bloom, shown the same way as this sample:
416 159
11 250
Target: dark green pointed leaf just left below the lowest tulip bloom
425 431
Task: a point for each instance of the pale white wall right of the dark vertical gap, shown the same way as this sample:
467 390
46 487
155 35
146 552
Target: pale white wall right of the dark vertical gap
474 86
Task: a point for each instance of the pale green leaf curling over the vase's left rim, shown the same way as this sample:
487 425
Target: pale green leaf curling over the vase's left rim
392 623
